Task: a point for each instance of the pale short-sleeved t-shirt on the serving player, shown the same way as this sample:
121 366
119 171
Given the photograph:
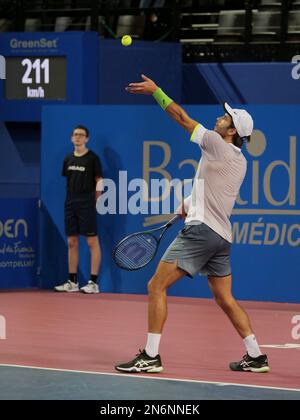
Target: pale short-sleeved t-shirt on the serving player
218 180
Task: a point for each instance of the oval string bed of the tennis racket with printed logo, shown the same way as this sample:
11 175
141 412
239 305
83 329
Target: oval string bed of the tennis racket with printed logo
136 251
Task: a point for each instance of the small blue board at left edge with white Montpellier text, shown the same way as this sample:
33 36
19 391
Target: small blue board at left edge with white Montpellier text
18 243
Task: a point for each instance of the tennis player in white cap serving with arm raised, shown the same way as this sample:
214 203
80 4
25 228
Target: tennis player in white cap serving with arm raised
203 246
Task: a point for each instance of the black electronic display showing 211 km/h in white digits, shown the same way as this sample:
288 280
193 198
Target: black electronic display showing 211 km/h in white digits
35 77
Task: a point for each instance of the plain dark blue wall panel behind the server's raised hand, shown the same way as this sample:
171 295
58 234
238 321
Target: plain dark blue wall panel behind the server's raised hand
119 66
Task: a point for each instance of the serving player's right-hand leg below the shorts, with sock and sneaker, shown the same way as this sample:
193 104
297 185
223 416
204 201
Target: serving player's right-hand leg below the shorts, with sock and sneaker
254 361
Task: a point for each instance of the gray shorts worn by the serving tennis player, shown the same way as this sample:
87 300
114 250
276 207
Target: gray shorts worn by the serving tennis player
200 250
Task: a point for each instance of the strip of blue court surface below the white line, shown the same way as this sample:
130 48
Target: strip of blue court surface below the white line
27 383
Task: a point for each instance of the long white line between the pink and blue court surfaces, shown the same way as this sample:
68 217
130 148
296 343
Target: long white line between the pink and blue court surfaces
139 376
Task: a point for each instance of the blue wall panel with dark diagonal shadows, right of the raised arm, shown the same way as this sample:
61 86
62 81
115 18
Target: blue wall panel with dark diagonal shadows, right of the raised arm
241 83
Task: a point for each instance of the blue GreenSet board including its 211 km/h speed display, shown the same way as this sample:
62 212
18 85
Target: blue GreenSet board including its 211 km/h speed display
47 68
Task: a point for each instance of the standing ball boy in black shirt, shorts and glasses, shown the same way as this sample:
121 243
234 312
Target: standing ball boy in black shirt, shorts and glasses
83 173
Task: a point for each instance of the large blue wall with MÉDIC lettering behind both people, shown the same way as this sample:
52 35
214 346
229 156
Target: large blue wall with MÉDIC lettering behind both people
265 254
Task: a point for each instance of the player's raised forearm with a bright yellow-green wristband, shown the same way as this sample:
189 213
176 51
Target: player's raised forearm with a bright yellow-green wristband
176 112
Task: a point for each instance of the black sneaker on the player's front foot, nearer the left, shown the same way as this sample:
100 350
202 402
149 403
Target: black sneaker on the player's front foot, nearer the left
142 363
